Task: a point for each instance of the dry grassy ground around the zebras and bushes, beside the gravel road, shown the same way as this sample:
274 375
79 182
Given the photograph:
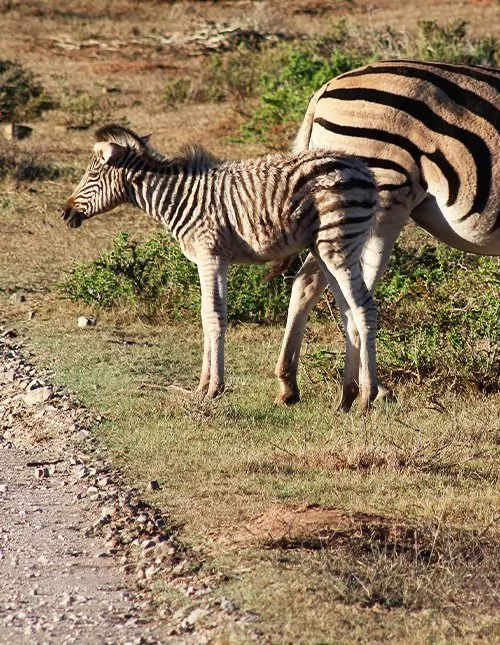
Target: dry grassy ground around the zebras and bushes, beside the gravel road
329 527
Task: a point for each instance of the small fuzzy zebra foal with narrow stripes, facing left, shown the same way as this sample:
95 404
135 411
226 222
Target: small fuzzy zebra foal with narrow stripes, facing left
250 211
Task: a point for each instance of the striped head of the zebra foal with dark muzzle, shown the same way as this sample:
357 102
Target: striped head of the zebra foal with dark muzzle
103 186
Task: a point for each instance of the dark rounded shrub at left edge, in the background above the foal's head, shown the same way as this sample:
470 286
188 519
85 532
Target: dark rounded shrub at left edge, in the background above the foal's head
22 97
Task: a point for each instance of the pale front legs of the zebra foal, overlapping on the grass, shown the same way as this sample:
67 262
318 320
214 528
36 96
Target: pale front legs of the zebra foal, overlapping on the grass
213 283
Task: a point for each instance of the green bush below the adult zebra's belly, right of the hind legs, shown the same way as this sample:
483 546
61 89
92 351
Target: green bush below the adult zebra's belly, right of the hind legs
440 317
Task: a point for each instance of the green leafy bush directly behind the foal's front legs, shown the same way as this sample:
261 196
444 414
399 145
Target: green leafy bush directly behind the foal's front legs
156 280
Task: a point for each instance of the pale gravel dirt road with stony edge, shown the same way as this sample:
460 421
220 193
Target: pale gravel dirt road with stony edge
79 551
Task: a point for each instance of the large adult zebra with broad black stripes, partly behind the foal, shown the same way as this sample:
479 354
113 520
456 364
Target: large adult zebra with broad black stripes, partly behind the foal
430 132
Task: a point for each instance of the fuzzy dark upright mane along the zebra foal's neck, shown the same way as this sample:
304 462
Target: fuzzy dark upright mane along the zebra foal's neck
190 155
